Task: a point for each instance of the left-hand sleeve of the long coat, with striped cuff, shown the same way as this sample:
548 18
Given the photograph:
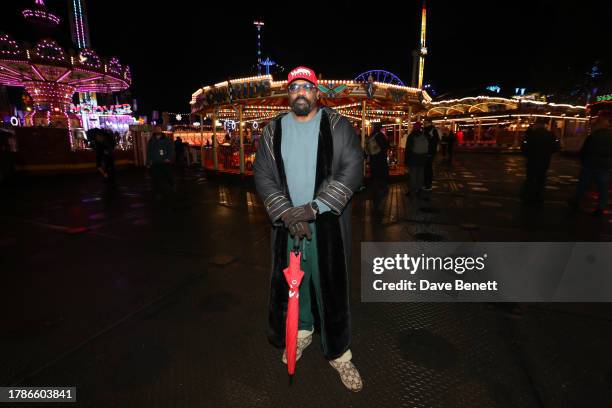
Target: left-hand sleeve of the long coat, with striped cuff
270 191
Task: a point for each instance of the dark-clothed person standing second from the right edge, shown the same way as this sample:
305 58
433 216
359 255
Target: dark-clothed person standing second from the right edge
538 146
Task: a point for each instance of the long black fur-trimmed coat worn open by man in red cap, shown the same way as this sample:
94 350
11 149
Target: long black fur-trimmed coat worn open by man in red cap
339 174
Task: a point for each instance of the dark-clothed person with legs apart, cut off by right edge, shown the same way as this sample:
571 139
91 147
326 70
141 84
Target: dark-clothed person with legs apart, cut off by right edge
596 158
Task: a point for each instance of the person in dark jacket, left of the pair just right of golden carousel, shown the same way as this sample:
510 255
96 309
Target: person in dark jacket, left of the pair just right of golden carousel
416 156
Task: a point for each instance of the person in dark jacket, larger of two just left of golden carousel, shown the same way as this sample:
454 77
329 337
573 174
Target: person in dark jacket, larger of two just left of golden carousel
160 153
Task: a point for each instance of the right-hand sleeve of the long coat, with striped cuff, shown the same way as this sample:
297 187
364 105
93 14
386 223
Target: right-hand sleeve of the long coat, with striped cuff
349 177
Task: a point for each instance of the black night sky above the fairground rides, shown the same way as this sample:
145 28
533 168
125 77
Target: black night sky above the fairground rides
175 47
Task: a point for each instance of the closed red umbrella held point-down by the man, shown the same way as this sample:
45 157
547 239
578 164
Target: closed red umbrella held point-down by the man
293 275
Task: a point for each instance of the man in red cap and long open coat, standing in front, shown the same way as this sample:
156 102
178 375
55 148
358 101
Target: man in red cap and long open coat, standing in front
308 165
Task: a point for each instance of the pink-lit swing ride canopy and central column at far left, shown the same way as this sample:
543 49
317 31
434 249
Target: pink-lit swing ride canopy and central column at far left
51 75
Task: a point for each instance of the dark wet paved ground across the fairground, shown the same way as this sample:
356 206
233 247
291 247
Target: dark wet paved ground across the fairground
139 304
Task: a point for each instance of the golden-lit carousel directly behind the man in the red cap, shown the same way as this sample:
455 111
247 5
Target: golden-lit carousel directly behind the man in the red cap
233 113
